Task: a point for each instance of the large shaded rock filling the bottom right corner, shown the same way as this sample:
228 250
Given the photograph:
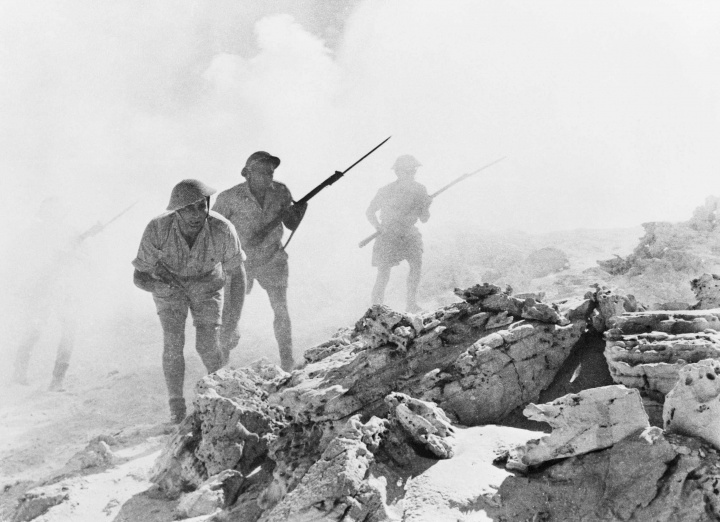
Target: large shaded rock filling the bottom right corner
646 477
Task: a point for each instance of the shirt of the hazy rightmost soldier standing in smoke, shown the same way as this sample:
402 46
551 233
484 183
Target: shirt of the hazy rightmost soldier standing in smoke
401 204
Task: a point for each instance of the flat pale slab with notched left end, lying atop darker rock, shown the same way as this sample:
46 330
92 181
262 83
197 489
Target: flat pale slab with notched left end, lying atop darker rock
587 421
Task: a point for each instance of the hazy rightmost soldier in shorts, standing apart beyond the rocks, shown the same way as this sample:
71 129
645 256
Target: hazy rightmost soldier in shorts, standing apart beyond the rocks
400 205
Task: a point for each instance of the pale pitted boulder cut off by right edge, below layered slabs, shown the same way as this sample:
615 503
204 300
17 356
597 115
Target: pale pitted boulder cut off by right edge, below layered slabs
692 407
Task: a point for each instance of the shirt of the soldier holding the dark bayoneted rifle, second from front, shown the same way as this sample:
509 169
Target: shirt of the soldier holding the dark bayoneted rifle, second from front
245 212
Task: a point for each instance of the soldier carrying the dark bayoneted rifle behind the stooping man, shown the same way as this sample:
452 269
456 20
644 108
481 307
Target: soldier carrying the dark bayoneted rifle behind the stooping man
251 206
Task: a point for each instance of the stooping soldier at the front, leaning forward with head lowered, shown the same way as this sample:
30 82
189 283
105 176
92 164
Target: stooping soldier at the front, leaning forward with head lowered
183 259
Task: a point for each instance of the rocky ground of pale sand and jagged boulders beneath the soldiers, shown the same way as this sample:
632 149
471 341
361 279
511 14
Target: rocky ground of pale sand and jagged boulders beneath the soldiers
431 407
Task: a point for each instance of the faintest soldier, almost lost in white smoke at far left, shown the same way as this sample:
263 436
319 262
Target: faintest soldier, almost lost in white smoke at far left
54 261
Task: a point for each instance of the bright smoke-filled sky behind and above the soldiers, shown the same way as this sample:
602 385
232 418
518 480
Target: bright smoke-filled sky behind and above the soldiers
607 113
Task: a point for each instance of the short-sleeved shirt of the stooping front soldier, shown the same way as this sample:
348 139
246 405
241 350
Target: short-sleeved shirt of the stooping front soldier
216 244
